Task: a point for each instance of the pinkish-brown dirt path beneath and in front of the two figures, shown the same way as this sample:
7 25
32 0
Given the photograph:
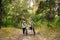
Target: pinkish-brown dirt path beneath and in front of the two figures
30 36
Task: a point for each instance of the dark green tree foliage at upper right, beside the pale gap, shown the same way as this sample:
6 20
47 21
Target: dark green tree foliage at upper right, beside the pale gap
49 5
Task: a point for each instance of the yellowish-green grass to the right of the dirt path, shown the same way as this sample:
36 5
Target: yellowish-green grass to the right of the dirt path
50 33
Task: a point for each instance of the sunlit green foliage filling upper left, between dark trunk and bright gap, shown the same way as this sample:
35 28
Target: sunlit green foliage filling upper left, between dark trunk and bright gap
15 12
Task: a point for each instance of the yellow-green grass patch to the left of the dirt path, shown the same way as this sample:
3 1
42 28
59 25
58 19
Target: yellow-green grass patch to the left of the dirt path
8 33
